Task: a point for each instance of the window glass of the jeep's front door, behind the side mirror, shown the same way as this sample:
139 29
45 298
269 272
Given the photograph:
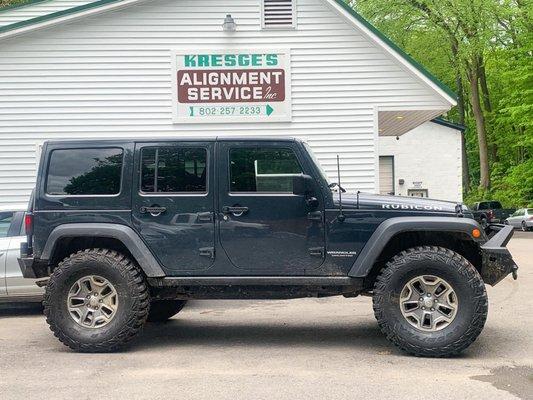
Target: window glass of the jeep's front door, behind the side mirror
267 170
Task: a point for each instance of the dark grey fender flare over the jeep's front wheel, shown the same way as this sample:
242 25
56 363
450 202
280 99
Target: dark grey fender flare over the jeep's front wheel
392 226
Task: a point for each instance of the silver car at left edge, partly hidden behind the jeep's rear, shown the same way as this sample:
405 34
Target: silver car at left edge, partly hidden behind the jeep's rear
13 287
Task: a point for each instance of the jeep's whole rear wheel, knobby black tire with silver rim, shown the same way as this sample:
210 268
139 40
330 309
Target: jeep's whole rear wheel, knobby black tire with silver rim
96 301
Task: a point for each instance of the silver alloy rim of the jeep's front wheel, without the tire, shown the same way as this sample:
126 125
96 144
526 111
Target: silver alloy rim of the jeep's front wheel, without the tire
428 303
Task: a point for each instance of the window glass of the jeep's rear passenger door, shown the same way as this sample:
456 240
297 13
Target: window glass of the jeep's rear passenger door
173 170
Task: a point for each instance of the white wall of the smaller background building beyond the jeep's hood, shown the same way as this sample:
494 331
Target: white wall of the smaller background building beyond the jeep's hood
429 155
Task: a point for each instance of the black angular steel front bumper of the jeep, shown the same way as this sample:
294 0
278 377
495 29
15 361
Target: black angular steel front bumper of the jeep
497 261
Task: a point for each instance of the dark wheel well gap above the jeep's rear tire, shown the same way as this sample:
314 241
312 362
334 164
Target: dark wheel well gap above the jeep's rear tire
66 246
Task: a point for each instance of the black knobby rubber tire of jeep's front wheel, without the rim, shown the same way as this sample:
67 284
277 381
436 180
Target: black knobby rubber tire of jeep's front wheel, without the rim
457 271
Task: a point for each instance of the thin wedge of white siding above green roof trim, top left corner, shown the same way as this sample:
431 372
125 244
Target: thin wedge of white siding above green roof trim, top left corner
40 9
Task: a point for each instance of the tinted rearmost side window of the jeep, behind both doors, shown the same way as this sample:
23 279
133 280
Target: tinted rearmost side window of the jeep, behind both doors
95 171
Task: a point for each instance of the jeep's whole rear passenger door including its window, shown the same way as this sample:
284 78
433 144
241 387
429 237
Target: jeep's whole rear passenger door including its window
173 204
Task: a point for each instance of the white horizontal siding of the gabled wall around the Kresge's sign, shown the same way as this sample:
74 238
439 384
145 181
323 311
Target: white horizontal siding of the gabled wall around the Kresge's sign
110 75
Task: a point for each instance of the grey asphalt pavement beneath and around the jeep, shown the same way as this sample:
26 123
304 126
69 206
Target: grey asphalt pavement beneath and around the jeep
292 349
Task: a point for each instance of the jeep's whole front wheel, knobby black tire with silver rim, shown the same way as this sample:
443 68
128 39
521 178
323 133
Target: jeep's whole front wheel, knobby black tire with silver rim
430 301
